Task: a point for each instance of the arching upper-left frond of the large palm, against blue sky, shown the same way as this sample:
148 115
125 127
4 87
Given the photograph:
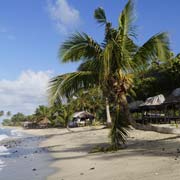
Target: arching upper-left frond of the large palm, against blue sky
77 47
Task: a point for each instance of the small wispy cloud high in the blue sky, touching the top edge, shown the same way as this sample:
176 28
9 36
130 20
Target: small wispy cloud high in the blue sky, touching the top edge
64 15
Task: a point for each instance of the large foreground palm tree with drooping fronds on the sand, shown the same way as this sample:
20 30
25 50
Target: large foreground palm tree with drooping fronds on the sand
109 65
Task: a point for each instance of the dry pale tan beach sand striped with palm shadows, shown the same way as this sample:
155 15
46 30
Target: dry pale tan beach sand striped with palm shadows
148 156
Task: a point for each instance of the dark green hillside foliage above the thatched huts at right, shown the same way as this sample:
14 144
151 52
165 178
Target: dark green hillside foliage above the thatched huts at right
158 79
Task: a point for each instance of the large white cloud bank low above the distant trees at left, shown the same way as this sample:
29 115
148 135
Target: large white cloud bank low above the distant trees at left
25 93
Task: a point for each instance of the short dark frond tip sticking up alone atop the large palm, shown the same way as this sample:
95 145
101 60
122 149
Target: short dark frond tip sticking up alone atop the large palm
100 16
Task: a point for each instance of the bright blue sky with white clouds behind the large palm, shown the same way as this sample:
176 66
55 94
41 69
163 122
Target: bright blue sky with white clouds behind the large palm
31 32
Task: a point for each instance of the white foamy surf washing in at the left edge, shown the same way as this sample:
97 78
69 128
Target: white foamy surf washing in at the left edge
4 134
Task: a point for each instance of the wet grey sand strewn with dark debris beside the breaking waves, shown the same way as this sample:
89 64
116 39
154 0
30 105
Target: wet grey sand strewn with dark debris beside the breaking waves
24 158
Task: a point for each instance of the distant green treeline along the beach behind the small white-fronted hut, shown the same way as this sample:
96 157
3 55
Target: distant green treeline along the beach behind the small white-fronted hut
59 114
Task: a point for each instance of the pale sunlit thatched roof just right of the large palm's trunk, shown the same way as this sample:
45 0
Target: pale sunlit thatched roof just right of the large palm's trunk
153 101
